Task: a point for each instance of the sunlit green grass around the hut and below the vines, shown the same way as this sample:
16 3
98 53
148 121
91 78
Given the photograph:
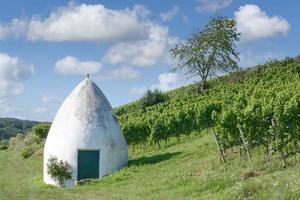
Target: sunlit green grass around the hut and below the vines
189 169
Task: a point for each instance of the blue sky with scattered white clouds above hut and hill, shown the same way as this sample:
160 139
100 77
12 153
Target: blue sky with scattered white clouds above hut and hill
47 47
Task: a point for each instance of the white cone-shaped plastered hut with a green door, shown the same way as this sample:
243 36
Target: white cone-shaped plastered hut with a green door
86 134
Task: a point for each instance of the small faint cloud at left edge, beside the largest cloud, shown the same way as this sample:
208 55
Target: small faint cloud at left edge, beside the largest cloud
16 28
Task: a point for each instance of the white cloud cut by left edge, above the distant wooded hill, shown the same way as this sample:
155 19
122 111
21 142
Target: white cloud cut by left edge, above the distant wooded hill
13 71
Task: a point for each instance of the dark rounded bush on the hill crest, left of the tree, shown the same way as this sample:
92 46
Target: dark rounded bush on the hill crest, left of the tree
152 97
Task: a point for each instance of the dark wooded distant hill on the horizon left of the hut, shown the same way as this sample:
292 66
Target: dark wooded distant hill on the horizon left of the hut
10 127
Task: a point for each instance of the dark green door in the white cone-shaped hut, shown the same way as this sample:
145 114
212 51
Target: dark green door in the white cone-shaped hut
88 164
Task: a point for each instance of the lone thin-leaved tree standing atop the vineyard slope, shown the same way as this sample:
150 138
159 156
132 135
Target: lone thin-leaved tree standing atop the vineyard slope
210 51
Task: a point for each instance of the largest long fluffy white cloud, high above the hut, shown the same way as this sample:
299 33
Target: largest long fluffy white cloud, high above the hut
87 22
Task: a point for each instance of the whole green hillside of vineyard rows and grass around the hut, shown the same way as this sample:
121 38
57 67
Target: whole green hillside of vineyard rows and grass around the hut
173 154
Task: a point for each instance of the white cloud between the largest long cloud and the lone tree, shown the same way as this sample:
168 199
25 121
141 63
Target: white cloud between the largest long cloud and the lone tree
143 53
